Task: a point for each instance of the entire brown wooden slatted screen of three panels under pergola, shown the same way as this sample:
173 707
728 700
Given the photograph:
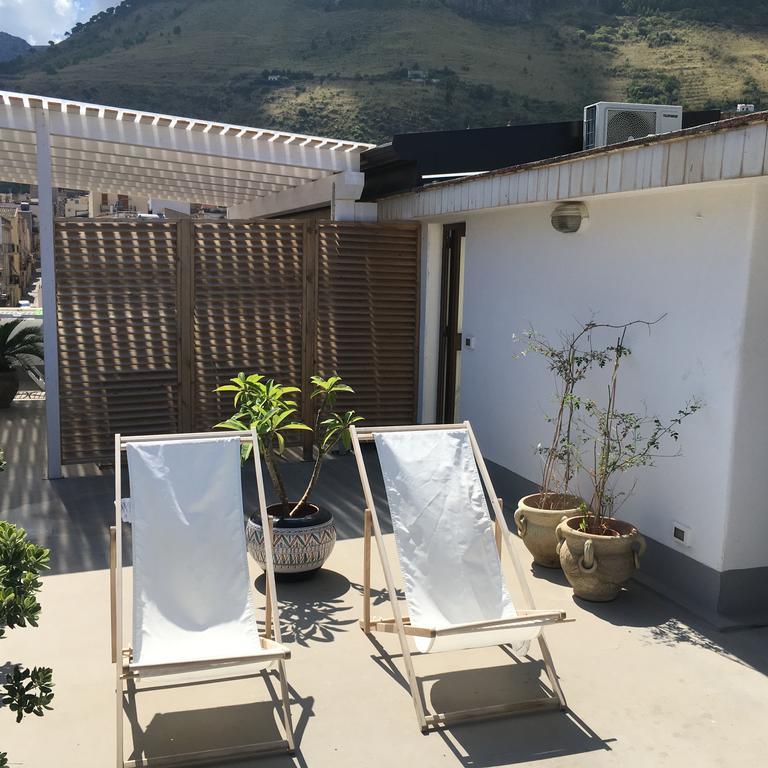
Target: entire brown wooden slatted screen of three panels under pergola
153 315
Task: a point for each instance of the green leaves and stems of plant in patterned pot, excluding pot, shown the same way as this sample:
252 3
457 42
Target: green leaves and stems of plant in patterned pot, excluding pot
271 410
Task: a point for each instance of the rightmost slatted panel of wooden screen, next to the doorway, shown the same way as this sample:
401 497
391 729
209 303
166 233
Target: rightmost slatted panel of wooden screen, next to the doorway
368 316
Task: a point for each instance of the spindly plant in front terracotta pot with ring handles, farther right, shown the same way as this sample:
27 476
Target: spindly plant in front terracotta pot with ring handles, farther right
599 553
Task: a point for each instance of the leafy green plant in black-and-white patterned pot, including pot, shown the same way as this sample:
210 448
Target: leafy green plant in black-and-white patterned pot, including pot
304 534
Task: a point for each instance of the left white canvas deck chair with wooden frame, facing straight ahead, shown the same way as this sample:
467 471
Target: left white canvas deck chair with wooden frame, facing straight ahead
193 614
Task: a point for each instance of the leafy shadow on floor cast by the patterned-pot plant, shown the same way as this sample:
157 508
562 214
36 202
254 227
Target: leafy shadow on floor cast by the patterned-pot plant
312 611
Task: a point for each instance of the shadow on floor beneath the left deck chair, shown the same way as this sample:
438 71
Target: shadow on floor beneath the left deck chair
197 730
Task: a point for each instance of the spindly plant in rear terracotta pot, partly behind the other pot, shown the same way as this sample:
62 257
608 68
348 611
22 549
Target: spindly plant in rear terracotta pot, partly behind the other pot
538 514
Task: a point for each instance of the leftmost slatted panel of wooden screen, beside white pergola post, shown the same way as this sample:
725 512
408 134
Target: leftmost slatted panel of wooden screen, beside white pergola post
116 301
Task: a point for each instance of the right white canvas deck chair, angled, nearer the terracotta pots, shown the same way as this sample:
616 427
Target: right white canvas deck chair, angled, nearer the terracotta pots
449 557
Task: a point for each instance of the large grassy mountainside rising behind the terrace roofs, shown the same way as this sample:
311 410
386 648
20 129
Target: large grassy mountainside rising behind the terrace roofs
365 69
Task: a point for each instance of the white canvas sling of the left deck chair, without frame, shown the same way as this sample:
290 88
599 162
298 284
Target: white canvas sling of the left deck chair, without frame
191 587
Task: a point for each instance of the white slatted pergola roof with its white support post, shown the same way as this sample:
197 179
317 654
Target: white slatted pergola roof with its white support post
252 171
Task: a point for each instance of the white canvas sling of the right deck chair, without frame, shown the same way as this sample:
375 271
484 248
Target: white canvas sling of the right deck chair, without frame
445 542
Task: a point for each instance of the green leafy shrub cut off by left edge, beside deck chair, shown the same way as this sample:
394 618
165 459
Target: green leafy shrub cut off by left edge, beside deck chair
25 691
